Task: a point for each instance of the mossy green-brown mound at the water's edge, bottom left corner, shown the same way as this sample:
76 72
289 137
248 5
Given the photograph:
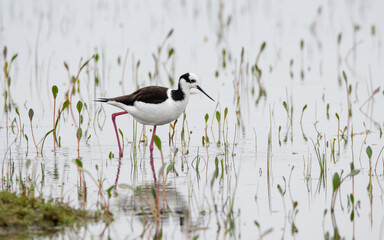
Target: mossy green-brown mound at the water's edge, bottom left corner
27 216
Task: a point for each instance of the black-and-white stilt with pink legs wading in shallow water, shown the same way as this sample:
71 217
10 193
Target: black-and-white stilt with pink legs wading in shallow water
155 105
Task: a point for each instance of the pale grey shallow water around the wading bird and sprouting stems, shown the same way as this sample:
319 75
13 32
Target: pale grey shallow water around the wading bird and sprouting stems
201 201
